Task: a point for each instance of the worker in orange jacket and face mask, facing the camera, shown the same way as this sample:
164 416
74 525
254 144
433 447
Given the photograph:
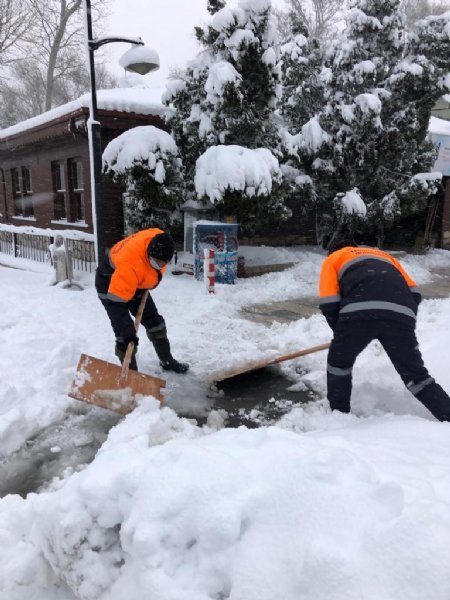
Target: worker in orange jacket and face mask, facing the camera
133 265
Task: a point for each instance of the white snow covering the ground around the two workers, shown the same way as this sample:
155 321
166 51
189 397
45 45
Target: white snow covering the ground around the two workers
318 506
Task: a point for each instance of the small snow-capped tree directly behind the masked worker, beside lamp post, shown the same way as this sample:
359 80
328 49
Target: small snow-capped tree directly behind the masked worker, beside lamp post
146 160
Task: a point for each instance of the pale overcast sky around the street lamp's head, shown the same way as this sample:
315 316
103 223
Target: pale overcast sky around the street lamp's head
165 25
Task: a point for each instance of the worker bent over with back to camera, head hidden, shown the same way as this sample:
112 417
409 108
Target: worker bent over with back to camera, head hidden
366 294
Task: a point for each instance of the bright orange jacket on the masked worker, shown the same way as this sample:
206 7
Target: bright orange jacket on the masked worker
132 268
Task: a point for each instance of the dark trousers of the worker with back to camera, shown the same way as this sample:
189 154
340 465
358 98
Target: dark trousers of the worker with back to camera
399 340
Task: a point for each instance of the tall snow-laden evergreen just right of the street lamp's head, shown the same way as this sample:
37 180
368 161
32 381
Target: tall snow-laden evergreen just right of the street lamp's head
229 92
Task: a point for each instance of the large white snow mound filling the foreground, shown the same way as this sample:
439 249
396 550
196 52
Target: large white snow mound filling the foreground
317 508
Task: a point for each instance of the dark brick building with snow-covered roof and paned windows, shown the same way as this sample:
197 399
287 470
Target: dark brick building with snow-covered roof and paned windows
45 167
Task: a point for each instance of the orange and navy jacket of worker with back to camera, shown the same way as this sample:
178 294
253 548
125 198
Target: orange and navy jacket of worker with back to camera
366 283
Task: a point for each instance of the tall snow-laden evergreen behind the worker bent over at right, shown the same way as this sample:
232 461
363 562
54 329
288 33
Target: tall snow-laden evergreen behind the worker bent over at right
371 136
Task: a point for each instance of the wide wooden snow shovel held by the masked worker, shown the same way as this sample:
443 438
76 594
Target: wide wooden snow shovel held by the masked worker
111 386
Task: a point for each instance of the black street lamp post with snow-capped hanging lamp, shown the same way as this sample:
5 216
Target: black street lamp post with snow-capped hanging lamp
142 64
